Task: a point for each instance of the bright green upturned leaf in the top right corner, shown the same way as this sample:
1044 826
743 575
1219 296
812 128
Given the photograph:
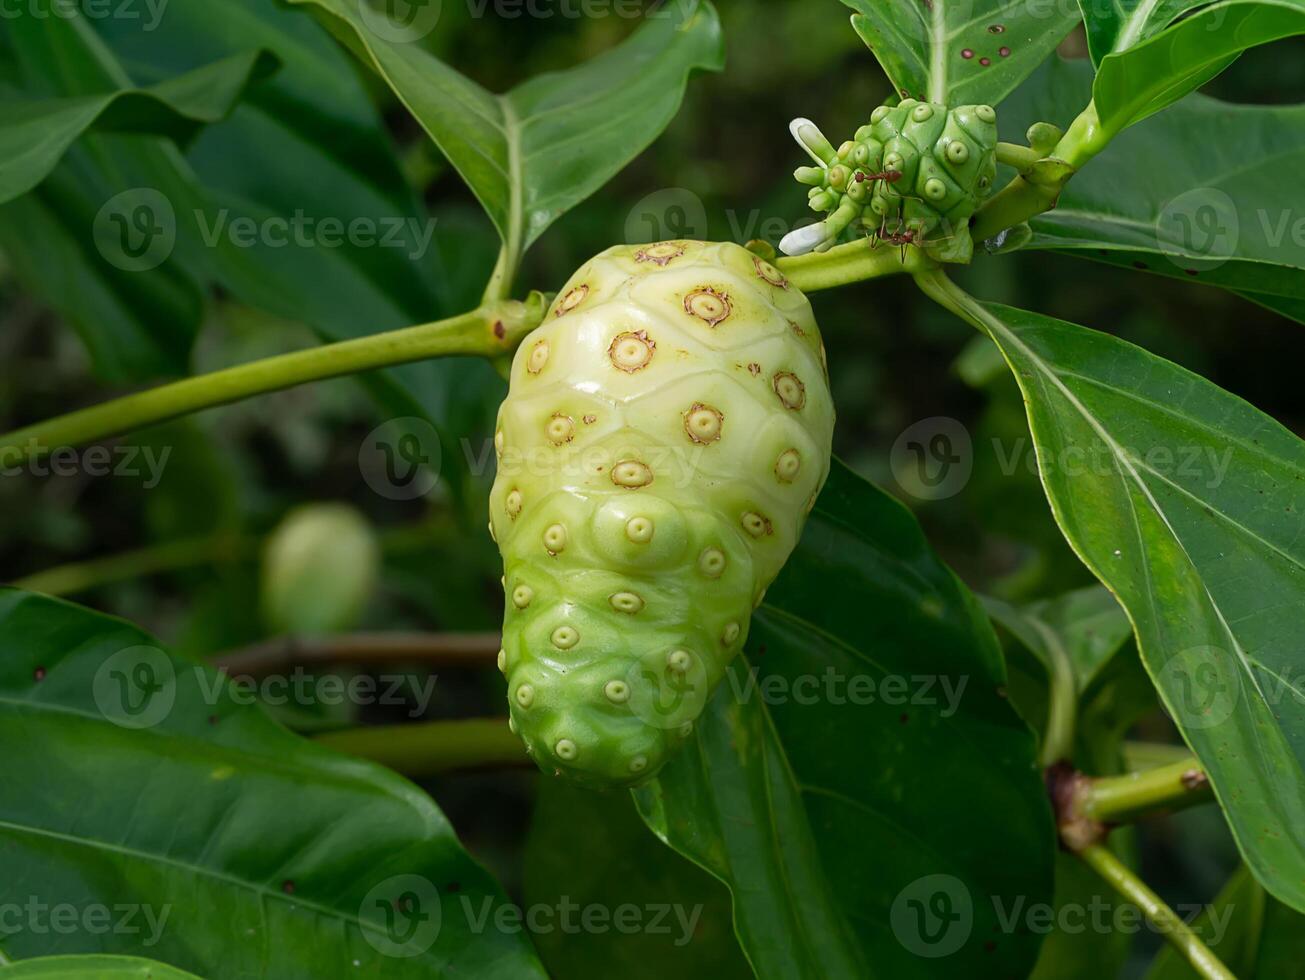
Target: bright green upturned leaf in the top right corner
1149 55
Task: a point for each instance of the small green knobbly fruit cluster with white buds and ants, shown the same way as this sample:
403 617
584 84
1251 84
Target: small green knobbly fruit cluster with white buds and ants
914 176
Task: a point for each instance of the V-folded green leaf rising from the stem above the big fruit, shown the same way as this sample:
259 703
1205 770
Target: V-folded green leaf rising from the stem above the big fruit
536 152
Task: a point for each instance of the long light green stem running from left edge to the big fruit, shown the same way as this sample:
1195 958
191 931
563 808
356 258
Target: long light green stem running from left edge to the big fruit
490 332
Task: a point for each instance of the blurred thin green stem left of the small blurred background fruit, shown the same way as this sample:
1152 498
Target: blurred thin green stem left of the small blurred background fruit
172 557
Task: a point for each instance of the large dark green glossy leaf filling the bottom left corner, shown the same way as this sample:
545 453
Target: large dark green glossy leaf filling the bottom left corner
246 850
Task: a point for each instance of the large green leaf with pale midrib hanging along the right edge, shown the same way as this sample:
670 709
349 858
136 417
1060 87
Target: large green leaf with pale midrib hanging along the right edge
1187 503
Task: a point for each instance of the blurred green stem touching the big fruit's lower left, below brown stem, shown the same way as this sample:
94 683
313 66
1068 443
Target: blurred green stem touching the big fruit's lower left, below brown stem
433 748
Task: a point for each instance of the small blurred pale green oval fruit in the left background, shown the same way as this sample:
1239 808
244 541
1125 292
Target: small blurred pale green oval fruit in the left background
319 570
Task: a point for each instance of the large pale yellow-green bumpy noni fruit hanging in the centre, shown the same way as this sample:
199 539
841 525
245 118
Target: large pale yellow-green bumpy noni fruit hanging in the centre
668 431
